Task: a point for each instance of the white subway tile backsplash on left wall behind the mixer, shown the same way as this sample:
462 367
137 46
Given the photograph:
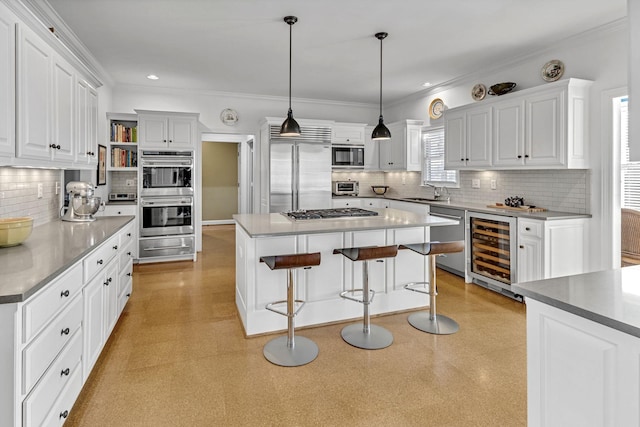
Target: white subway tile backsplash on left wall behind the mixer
19 193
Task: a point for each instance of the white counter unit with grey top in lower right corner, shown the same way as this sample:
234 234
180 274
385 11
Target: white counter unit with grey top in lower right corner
583 349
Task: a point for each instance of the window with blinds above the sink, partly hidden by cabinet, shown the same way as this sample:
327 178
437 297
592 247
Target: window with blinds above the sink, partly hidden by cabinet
433 171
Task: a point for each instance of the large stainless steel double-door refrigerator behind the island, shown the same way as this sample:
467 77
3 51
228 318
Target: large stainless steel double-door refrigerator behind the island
300 176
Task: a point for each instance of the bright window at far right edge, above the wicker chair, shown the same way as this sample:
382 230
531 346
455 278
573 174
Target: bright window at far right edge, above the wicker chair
630 171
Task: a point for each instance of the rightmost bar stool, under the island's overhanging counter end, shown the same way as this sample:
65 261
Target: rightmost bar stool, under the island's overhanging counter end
431 322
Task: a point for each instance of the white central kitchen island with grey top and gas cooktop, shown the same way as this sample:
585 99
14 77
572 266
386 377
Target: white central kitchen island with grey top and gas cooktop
274 234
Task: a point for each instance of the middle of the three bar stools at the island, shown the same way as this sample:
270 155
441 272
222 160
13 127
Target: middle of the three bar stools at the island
365 335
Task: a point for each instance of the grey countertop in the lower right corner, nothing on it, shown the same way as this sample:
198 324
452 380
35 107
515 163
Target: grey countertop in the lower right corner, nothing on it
609 297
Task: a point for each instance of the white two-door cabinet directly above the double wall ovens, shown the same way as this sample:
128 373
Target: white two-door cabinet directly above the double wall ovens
167 130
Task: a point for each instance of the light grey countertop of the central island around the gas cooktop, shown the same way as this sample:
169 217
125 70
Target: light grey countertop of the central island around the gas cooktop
277 224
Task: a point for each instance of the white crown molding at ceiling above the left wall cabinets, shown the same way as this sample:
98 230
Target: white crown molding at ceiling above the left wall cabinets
41 17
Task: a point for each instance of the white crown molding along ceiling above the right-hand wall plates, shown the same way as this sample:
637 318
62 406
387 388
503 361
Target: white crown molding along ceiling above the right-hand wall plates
611 27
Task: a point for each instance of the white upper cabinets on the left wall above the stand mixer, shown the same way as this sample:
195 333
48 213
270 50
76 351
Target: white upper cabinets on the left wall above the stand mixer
56 108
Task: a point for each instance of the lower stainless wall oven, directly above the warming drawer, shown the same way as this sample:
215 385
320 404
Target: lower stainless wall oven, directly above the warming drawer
166 216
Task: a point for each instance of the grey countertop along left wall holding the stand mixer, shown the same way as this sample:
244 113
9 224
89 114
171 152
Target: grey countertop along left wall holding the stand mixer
50 250
